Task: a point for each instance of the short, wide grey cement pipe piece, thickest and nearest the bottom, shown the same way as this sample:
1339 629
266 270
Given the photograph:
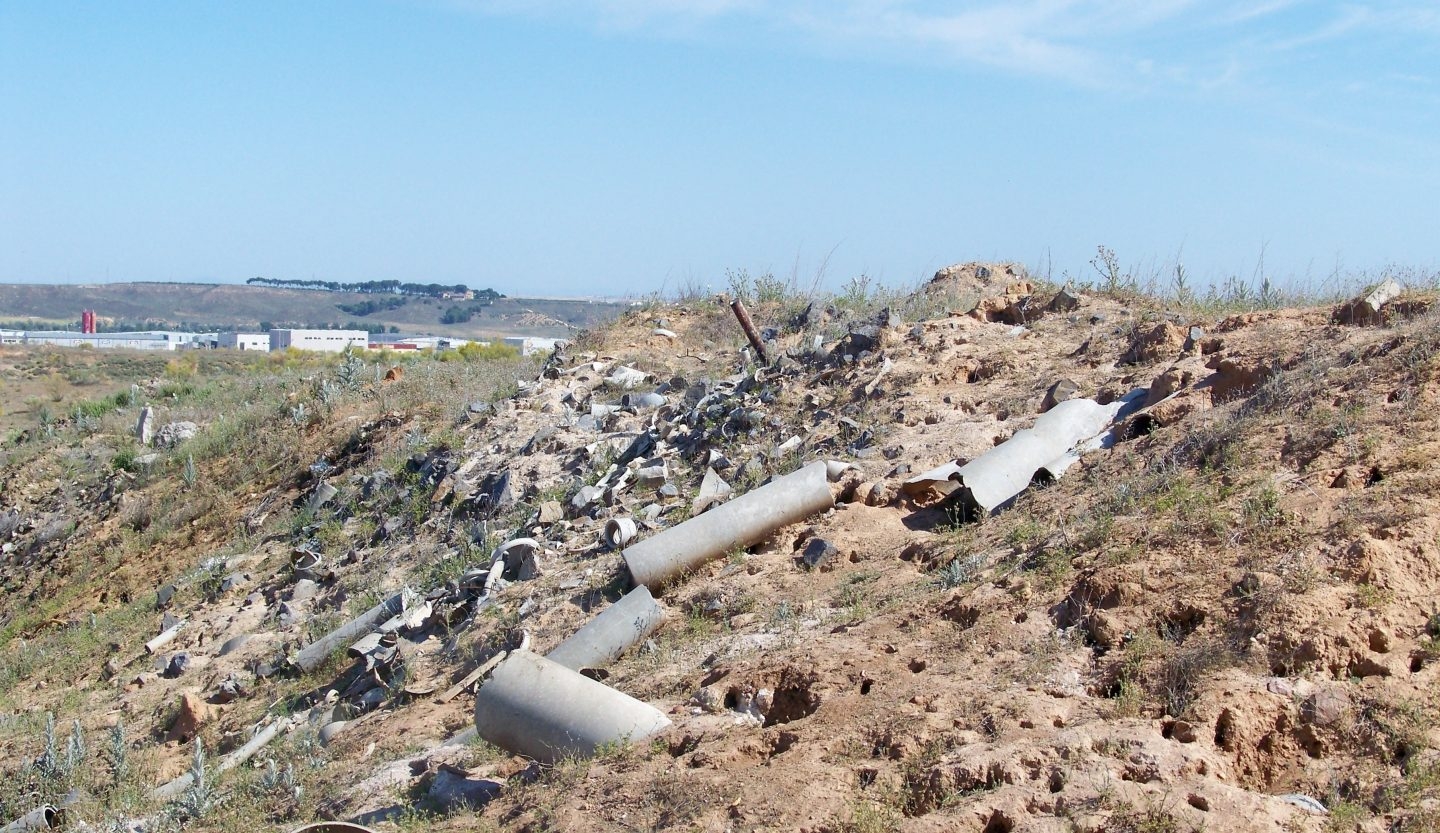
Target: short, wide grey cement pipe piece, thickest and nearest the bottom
542 710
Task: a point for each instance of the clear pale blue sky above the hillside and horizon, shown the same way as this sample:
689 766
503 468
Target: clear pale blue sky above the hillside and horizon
629 146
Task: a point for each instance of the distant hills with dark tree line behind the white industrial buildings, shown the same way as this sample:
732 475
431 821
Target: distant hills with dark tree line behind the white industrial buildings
248 308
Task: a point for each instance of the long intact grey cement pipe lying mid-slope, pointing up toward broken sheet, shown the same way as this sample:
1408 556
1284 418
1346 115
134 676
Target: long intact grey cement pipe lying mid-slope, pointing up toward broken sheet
742 522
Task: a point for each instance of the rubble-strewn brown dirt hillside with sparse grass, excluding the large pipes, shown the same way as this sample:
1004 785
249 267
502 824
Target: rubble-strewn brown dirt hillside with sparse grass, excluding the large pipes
1222 618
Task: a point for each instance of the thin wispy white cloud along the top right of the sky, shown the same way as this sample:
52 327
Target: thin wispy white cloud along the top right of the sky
1084 43
